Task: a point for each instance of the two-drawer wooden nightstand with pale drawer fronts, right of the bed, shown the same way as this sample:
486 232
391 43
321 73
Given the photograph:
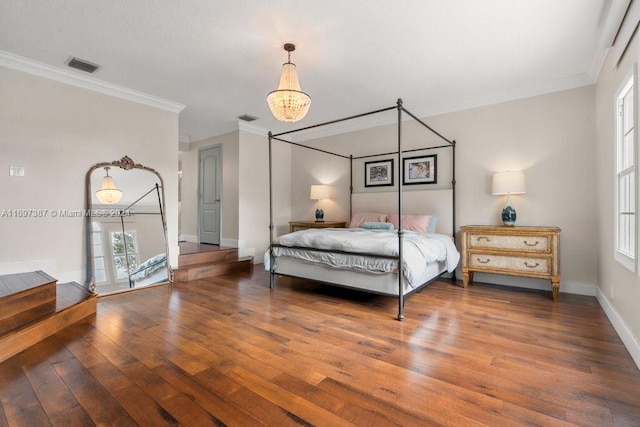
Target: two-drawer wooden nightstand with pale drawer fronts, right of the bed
517 251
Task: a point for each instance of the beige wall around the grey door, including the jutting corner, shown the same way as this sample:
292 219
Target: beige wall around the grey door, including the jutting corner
245 194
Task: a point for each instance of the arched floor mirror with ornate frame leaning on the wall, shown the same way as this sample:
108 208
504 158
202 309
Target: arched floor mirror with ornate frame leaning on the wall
125 227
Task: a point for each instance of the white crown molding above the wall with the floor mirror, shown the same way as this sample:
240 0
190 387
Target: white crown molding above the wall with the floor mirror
29 66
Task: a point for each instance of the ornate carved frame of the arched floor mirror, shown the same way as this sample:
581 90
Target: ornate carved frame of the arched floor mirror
125 163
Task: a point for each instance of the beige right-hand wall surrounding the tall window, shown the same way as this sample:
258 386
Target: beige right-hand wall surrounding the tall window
619 288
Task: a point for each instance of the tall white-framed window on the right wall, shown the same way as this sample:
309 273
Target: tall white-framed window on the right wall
626 176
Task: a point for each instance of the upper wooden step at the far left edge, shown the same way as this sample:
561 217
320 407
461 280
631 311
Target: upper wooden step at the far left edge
25 291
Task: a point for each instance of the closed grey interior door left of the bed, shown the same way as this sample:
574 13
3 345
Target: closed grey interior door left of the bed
209 199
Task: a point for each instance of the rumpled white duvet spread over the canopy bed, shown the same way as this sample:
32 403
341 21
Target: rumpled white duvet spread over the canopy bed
418 250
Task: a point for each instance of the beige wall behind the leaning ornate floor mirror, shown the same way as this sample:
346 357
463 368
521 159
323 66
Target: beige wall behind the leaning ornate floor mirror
57 132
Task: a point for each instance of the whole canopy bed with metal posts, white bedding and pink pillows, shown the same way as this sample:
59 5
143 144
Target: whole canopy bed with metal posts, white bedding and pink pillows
389 253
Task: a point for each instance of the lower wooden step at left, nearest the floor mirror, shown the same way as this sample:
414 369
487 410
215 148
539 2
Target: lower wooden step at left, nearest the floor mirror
73 303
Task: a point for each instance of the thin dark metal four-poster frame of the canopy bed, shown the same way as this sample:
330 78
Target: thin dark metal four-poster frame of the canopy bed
400 108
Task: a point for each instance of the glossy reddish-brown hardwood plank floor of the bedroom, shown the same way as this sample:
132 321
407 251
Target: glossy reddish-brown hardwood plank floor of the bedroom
228 351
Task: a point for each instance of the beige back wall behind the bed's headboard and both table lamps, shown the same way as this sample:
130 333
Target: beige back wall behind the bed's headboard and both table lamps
550 137
